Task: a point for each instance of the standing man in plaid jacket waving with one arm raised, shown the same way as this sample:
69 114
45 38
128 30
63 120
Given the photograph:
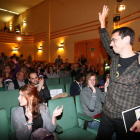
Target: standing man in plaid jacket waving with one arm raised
123 91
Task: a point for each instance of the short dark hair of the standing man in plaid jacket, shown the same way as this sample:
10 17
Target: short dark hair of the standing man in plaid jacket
126 31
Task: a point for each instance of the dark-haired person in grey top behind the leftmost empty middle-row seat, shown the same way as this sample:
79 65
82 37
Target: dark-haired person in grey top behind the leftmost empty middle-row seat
51 73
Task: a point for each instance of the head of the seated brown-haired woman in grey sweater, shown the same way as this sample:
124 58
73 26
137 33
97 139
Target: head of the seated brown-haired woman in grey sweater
91 77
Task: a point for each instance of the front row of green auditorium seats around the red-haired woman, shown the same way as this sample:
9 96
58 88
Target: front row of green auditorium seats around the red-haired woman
69 128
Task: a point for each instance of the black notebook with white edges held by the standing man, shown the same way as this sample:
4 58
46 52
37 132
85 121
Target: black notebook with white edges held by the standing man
130 116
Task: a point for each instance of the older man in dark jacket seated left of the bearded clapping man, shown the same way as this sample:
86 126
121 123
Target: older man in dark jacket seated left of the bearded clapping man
19 82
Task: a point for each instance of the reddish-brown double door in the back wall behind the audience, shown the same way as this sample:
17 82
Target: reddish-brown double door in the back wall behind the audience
92 51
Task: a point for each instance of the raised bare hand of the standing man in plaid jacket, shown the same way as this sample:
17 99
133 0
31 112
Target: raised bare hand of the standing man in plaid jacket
103 15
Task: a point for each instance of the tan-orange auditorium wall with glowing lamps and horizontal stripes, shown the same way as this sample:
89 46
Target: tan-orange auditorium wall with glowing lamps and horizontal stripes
69 21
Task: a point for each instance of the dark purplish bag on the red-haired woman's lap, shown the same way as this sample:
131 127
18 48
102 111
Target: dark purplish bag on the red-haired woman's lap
42 134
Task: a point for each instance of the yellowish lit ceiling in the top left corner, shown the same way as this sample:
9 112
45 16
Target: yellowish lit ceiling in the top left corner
17 6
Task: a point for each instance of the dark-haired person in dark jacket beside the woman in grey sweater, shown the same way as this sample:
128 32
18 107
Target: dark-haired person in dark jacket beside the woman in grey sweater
77 85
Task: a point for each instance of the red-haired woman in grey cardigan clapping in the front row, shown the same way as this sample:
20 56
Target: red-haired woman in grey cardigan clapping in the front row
32 114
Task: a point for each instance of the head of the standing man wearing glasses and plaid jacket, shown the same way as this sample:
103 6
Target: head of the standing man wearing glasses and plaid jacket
121 39
